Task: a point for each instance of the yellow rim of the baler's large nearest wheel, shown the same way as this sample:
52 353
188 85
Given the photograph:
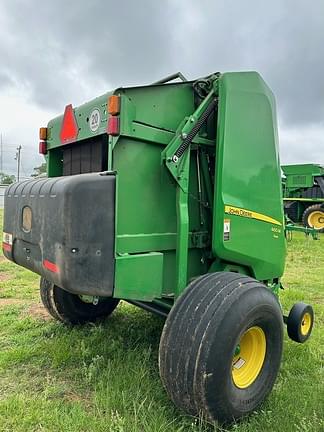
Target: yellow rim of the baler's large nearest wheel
249 357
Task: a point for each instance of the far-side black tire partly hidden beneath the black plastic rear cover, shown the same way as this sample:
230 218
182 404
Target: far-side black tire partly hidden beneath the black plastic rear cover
69 308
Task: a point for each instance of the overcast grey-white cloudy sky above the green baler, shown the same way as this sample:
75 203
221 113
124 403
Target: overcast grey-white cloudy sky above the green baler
58 52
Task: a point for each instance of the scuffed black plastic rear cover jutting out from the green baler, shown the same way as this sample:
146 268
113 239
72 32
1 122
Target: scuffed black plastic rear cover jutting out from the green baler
71 240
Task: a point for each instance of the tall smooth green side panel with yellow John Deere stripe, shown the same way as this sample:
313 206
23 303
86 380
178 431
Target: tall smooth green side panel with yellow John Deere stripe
248 214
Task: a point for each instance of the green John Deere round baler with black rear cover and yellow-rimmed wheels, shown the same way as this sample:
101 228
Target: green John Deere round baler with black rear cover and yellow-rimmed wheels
169 196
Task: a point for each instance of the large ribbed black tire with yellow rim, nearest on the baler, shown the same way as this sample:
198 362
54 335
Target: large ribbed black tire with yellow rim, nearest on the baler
199 346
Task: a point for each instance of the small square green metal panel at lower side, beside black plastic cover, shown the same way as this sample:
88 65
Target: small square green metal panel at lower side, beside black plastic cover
139 277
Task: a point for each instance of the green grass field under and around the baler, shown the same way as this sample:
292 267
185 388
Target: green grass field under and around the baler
104 377
